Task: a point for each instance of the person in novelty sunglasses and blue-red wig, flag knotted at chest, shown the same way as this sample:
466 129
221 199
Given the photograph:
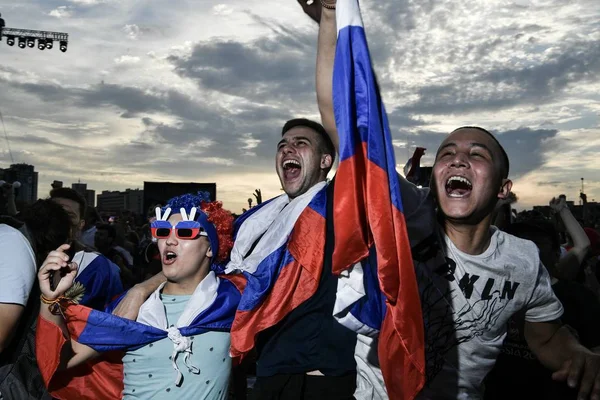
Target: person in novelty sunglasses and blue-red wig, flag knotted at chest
179 345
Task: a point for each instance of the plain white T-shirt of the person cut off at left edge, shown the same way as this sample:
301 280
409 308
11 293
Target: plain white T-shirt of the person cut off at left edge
17 266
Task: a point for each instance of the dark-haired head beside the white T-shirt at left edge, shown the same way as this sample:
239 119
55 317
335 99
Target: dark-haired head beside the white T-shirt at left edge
49 226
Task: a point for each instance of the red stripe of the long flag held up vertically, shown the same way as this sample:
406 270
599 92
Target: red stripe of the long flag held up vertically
365 216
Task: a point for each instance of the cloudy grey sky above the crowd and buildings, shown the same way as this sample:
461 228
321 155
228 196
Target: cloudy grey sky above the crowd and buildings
199 91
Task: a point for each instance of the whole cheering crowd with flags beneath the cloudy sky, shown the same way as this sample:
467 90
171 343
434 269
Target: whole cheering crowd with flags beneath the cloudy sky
365 286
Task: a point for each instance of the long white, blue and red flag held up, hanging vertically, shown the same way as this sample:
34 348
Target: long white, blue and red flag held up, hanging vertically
368 208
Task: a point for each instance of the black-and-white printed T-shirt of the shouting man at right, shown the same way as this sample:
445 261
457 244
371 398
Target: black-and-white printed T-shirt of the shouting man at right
466 302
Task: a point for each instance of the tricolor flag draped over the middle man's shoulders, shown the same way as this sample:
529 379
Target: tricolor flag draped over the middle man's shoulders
279 247
